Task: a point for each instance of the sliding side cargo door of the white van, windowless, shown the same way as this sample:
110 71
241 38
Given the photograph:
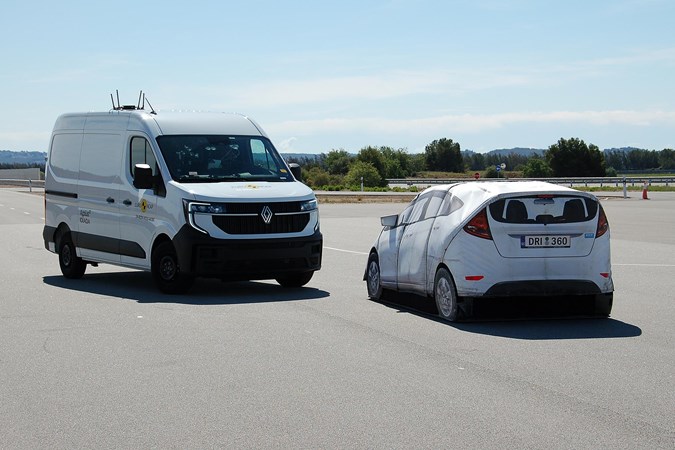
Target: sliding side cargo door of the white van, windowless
98 197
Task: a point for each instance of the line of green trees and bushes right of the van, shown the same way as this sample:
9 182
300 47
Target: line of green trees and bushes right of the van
339 169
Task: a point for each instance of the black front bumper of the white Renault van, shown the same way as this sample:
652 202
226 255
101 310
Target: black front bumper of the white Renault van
246 259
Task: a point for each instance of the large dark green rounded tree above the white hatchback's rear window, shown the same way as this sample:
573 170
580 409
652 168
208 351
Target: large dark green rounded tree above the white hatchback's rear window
573 158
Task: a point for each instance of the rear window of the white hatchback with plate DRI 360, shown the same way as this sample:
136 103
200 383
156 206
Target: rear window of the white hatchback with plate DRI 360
544 209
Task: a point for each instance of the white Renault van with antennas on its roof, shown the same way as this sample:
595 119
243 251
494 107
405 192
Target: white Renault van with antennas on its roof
182 195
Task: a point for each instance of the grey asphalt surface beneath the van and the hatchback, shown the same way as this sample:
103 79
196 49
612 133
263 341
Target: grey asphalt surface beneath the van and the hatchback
108 362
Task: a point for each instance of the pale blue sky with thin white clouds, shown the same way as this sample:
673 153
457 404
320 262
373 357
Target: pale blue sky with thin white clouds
320 76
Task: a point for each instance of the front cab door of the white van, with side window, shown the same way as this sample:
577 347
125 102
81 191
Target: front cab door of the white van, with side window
138 211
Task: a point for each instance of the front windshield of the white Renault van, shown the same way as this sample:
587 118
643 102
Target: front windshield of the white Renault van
216 158
